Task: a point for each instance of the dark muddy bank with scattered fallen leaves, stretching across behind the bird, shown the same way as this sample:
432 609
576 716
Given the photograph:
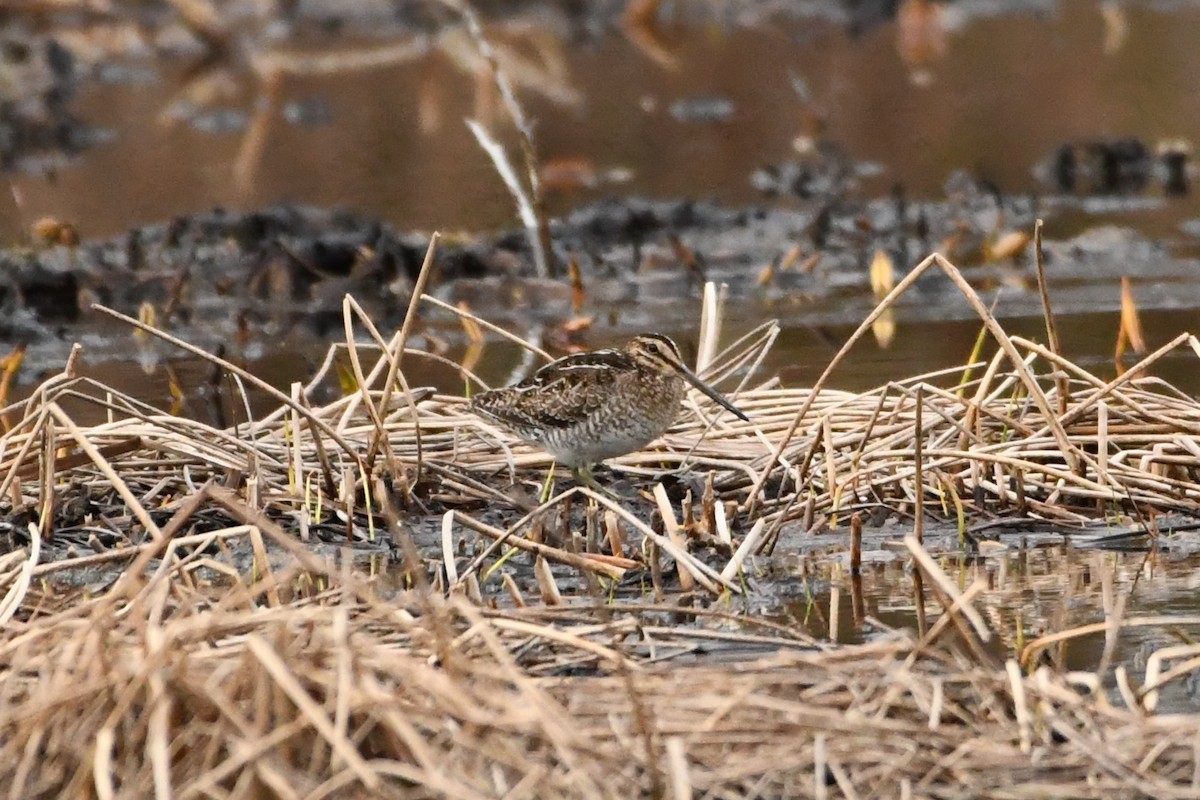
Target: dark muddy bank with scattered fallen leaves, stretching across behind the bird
255 282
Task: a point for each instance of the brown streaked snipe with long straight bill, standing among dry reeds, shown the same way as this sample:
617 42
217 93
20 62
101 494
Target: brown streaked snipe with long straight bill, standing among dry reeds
589 407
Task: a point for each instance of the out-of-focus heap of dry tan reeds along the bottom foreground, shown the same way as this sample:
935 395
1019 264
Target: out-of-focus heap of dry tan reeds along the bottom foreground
365 687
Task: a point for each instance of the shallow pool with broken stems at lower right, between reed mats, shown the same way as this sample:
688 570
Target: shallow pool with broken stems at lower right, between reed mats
1031 593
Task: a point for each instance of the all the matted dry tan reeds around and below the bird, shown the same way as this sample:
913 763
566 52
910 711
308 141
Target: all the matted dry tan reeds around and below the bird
201 672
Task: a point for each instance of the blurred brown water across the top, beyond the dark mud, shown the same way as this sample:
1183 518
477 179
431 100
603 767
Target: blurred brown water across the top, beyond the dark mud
938 88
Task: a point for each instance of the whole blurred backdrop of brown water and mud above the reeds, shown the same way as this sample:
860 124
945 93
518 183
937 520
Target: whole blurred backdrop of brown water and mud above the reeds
817 140
